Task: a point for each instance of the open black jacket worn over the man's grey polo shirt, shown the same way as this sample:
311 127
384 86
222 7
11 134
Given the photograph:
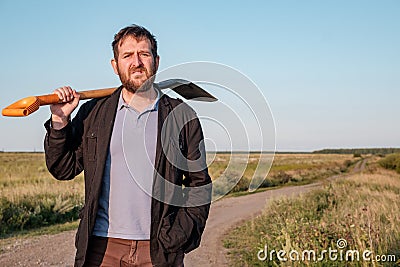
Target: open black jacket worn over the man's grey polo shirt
178 216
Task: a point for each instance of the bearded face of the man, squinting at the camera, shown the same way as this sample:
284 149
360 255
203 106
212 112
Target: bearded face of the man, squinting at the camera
135 63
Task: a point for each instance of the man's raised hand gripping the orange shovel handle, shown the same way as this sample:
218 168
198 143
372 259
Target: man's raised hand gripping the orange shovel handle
60 113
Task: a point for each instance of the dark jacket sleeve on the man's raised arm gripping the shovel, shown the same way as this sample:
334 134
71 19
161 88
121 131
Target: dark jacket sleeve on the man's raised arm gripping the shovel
63 148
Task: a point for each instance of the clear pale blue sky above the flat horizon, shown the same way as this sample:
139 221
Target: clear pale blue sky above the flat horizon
328 72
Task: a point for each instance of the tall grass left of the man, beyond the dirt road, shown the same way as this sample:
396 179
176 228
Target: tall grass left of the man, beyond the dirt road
31 198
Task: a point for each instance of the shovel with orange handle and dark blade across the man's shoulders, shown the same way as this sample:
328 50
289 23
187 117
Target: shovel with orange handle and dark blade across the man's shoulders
28 105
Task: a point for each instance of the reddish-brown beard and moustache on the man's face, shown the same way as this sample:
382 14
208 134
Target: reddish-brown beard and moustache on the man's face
134 86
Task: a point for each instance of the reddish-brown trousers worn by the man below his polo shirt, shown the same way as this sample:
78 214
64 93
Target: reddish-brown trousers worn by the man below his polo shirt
112 252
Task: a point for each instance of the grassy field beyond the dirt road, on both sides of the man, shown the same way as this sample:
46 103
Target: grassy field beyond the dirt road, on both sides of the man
31 198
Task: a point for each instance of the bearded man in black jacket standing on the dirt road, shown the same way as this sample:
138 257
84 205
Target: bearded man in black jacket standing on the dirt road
147 188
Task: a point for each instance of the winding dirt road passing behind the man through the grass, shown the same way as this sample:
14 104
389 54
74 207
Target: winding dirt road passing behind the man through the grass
59 250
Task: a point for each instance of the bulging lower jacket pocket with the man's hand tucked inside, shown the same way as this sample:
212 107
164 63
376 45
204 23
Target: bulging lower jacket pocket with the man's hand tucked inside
175 232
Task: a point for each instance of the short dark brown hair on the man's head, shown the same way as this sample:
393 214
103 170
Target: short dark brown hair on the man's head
139 33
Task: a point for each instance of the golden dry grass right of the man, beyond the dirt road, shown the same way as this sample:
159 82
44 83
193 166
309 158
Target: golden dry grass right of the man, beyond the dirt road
233 173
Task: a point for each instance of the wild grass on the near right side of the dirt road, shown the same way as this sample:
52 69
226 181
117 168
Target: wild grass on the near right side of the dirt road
363 209
